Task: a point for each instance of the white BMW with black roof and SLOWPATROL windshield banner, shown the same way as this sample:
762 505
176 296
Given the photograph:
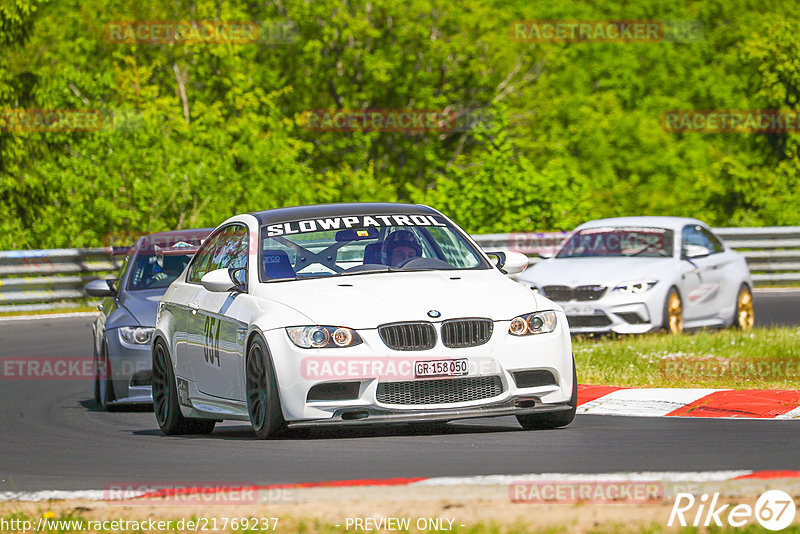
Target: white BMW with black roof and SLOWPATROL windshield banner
354 314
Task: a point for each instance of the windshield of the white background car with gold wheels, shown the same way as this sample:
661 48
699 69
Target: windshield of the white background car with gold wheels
618 242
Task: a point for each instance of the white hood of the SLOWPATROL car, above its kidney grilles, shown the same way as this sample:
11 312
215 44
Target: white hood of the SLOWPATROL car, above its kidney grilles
368 300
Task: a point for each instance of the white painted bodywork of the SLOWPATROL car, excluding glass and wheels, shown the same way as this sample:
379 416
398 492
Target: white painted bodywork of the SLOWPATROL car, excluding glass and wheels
216 389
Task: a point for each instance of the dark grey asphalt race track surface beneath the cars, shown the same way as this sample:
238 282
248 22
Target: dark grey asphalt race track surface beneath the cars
54 436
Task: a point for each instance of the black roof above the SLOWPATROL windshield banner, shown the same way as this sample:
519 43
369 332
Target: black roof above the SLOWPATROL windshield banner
297 213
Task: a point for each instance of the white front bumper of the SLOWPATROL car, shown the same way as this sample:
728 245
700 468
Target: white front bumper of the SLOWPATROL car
500 358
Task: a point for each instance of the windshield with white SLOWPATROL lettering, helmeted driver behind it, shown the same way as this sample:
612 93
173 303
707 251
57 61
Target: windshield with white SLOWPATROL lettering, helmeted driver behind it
340 246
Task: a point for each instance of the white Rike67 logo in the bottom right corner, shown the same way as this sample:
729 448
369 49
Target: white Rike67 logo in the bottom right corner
774 510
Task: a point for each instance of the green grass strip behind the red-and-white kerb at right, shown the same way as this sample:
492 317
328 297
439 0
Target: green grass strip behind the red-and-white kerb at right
764 358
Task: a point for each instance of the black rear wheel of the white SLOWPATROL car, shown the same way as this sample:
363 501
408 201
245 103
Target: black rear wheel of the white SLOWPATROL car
165 399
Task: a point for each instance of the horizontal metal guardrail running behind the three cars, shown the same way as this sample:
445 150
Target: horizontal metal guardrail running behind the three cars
44 279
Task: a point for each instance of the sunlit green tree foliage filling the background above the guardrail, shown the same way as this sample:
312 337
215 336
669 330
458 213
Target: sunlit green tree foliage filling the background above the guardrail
194 133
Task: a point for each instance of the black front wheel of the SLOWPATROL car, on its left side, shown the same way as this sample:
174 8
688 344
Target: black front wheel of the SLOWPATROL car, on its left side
263 402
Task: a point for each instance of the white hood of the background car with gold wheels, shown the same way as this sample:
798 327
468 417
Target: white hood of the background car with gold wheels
601 271
